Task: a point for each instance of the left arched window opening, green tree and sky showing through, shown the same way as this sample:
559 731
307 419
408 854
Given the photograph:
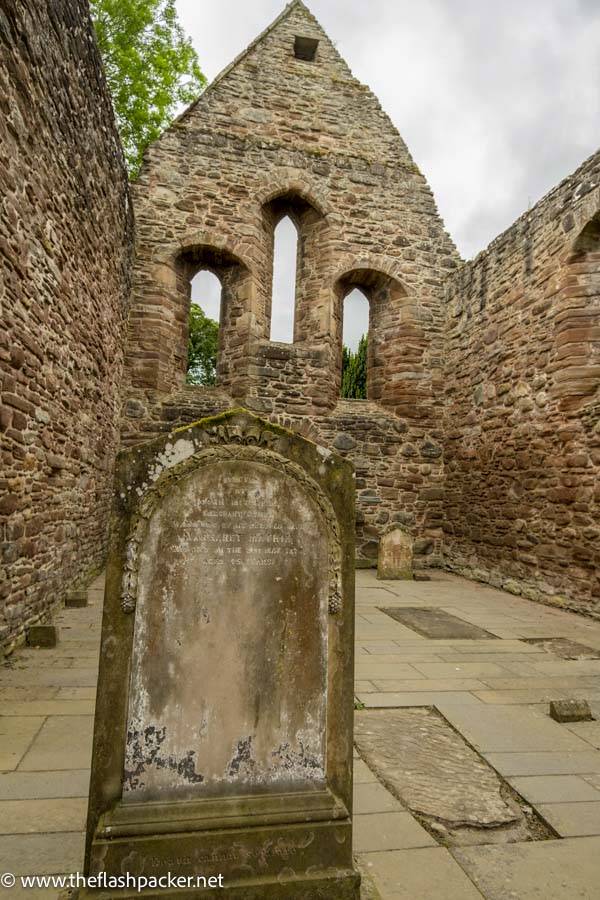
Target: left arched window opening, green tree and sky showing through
205 316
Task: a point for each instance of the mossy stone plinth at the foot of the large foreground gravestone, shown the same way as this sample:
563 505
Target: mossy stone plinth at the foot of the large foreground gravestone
276 862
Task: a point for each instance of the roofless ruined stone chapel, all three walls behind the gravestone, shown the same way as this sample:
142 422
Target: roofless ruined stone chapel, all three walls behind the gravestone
480 435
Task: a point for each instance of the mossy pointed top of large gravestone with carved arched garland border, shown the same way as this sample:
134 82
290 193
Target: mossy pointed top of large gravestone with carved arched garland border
148 472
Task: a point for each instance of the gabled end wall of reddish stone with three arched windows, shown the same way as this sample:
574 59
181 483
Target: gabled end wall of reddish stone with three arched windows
277 135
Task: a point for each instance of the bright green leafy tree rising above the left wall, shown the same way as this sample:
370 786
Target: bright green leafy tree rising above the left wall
151 68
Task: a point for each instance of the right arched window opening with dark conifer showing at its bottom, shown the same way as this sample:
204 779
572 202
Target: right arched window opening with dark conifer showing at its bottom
355 331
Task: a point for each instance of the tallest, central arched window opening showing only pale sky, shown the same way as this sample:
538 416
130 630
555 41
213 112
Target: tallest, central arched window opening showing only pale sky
283 304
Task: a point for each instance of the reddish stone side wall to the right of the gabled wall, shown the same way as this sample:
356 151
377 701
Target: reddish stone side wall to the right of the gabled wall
522 447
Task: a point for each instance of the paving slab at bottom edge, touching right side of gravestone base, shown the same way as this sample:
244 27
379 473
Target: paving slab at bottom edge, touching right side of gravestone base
425 874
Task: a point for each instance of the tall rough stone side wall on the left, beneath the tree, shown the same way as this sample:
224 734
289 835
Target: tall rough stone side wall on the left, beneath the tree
65 240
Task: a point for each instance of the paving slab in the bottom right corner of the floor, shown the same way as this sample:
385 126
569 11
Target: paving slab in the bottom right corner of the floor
542 870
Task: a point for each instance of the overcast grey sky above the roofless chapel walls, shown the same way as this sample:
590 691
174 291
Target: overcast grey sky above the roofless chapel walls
498 100
